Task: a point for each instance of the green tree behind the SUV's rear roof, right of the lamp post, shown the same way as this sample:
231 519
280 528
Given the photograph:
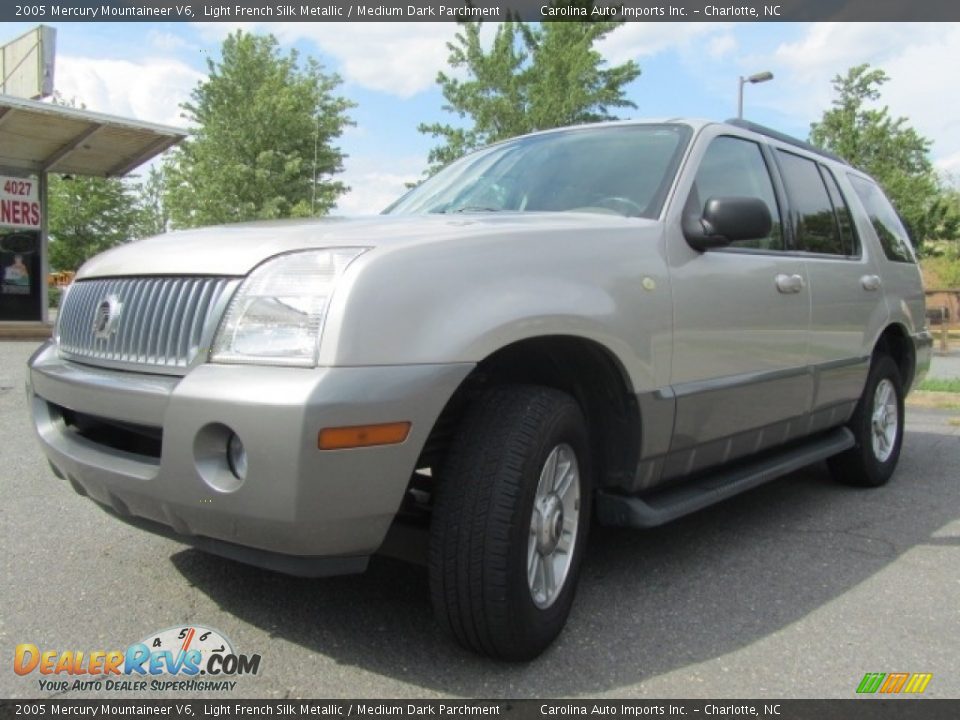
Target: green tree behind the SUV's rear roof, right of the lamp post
895 154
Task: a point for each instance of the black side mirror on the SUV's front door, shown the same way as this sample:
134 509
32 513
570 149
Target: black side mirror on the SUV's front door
726 220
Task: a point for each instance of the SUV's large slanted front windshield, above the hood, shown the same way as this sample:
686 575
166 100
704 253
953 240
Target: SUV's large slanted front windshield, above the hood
622 169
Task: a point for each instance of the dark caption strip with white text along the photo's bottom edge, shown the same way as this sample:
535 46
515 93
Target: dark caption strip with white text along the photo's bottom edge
872 708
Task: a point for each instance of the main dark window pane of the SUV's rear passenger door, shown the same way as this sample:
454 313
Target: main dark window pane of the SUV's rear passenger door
815 224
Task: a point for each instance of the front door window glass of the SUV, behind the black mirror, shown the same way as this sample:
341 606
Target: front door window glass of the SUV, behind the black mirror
733 167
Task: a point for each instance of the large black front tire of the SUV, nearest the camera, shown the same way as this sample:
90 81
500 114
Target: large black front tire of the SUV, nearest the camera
480 535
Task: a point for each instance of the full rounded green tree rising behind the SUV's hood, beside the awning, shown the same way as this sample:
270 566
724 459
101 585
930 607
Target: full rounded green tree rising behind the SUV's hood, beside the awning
261 146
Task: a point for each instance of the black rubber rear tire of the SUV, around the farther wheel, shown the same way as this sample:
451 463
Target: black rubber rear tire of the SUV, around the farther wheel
861 465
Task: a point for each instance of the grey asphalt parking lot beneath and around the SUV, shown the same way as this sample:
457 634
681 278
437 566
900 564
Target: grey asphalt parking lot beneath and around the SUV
795 589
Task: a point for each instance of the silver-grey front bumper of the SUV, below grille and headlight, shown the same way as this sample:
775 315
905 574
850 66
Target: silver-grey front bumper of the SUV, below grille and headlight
299 509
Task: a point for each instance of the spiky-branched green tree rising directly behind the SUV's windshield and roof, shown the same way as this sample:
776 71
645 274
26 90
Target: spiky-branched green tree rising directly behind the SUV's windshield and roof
532 78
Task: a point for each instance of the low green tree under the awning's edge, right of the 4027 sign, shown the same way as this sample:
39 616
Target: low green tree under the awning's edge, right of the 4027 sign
88 215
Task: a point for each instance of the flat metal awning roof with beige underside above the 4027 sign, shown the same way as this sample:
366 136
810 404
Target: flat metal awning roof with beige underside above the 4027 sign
37 137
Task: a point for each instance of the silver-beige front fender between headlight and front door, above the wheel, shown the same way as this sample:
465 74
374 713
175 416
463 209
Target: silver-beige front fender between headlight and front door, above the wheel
462 299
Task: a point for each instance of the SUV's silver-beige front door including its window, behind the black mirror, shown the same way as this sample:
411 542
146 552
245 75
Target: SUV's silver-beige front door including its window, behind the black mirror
741 320
